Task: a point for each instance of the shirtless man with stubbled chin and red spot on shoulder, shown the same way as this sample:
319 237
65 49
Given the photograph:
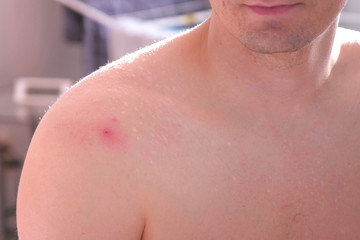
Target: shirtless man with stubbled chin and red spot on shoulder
247 127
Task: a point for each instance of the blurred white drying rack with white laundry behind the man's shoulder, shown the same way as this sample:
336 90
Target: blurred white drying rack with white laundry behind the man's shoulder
130 32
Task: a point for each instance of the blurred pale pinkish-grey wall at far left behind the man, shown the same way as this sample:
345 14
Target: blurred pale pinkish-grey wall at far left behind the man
31 44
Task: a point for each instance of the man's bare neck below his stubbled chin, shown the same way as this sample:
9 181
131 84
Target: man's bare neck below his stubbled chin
291 78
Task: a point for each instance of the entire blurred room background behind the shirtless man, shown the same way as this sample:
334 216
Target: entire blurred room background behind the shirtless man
47 45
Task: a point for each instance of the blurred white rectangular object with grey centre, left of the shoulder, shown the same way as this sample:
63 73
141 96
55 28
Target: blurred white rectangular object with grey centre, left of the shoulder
33 96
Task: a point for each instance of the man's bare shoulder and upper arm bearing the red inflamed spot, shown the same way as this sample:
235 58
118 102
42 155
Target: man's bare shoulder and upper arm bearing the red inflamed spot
88 156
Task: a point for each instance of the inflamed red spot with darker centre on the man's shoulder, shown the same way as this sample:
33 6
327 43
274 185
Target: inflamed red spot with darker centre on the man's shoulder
112 135
